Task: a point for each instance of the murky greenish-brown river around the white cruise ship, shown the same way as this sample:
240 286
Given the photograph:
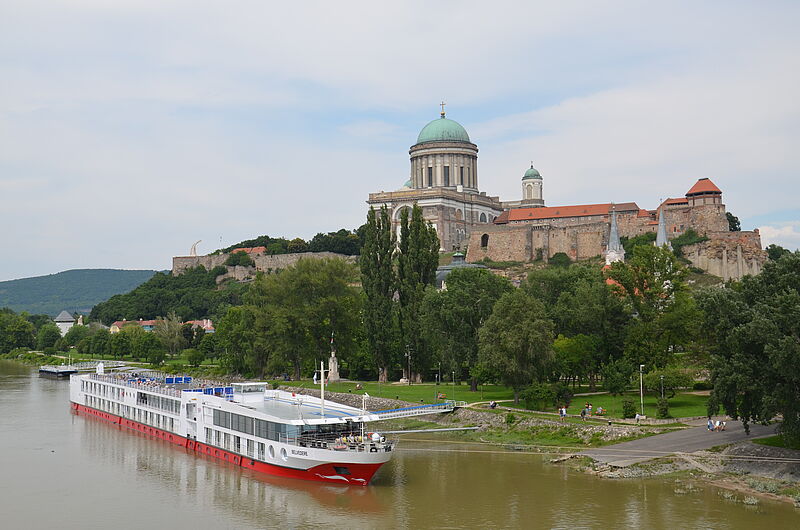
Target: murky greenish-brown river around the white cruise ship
61 470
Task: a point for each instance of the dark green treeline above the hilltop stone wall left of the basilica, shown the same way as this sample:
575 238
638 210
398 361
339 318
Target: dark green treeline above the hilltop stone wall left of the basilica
343 241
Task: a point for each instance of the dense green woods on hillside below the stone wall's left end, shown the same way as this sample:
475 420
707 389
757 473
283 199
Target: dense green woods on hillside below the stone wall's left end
193 295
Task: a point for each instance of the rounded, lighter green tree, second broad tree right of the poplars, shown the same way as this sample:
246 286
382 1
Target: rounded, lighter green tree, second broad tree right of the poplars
516 341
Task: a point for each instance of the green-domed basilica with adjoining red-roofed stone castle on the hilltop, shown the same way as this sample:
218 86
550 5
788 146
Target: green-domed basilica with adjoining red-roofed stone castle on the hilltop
444 183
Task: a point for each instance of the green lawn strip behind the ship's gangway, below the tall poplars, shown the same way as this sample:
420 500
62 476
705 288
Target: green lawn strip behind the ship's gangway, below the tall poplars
423 392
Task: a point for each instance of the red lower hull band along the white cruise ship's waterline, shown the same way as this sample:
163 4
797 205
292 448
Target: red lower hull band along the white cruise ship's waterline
360 474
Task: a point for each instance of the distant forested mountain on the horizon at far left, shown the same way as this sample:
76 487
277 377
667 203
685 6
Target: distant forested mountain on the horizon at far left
75 290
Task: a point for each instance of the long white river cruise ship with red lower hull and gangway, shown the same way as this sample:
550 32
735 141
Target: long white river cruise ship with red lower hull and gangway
246 424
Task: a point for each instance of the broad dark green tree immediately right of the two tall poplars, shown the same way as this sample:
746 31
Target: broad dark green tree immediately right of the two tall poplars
454 316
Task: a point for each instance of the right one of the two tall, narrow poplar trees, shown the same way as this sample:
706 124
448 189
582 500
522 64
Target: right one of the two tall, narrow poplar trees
416 270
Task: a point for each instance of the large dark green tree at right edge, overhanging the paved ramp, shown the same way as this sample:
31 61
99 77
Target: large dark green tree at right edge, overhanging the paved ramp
753 331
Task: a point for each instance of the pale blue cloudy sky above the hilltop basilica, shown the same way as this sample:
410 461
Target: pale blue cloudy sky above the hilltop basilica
130 130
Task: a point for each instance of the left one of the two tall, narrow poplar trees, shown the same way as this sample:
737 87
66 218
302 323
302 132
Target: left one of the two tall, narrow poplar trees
378 283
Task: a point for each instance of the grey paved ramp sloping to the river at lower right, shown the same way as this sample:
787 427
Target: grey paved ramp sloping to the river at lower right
683 441
